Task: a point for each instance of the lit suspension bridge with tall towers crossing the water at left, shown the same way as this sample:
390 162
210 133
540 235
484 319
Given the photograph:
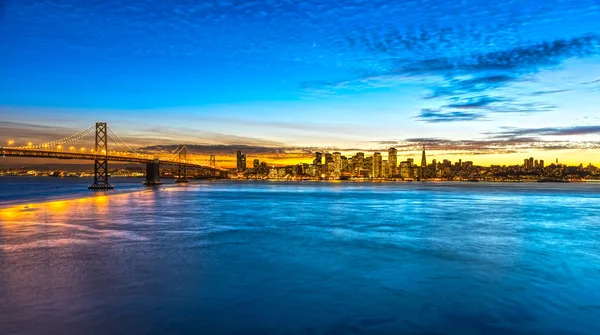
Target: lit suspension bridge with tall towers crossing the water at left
93 144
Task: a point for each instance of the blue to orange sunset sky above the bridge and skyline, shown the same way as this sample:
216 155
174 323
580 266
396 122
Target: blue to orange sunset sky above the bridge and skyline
489 81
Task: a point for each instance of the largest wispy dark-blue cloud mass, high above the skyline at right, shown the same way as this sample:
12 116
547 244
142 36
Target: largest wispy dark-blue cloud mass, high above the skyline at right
482 82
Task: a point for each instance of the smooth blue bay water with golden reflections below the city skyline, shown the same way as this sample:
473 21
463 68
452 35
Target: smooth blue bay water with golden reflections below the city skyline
304 258
